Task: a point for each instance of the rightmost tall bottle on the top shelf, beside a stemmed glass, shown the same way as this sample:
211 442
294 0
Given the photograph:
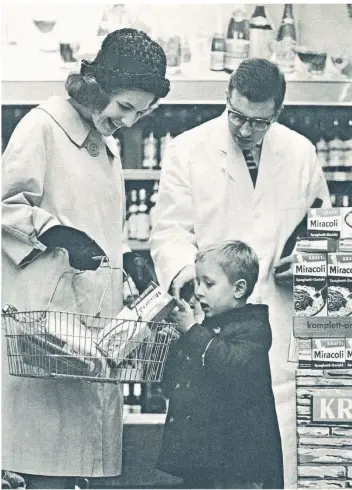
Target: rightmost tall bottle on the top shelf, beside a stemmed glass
286 41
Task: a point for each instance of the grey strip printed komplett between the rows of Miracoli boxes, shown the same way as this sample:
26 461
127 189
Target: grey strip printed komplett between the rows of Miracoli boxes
322 327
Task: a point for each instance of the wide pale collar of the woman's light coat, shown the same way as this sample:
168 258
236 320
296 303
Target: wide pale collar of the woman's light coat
76 128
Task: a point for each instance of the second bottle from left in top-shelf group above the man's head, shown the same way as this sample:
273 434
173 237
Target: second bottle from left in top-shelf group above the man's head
237 39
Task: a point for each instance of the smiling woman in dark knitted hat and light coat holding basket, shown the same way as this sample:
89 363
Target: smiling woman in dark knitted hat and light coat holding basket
63 205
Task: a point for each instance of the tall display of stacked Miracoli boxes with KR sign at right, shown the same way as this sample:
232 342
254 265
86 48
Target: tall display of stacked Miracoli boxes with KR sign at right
322 319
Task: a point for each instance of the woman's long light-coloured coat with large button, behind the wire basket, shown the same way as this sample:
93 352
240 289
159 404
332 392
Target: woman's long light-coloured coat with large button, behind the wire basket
59 428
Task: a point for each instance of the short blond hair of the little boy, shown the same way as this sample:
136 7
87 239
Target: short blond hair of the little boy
237 259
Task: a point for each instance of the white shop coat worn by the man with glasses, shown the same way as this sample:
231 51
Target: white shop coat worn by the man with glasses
206 195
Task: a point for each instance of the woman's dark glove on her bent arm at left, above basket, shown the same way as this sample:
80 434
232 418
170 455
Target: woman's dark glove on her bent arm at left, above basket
80 247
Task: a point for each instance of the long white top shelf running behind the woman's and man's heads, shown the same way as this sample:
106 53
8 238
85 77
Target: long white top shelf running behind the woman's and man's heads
42 75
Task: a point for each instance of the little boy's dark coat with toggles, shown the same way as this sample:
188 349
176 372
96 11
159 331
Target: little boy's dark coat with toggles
222 418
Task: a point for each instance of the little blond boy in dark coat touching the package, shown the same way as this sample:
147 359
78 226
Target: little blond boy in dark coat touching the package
221 429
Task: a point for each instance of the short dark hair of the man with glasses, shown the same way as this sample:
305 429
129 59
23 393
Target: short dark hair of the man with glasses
259 80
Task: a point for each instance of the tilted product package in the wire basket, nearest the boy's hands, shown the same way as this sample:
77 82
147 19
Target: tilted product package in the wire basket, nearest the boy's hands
133 330
